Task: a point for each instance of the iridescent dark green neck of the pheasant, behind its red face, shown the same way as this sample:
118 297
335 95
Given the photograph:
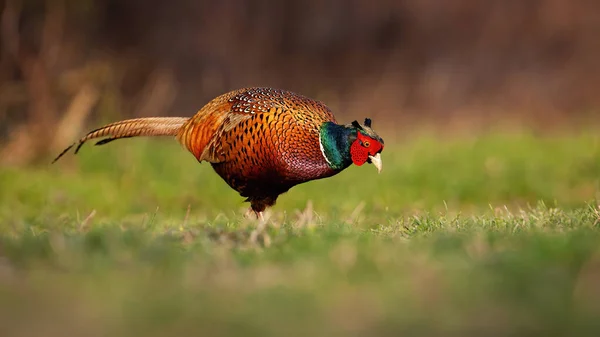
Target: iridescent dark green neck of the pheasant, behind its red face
335 143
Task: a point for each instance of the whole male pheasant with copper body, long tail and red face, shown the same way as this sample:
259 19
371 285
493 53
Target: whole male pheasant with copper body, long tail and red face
260 141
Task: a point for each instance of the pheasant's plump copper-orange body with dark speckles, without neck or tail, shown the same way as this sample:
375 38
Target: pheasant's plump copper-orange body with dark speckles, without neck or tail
261 141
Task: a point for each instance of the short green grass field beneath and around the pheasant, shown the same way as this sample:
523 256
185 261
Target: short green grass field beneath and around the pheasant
494 235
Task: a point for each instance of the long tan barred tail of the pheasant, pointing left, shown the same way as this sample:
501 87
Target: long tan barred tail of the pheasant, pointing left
148 126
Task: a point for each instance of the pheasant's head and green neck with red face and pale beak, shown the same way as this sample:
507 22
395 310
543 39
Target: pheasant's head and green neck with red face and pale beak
343 145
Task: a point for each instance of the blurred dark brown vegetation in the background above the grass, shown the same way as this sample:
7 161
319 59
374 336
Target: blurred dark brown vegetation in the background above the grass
67 63
